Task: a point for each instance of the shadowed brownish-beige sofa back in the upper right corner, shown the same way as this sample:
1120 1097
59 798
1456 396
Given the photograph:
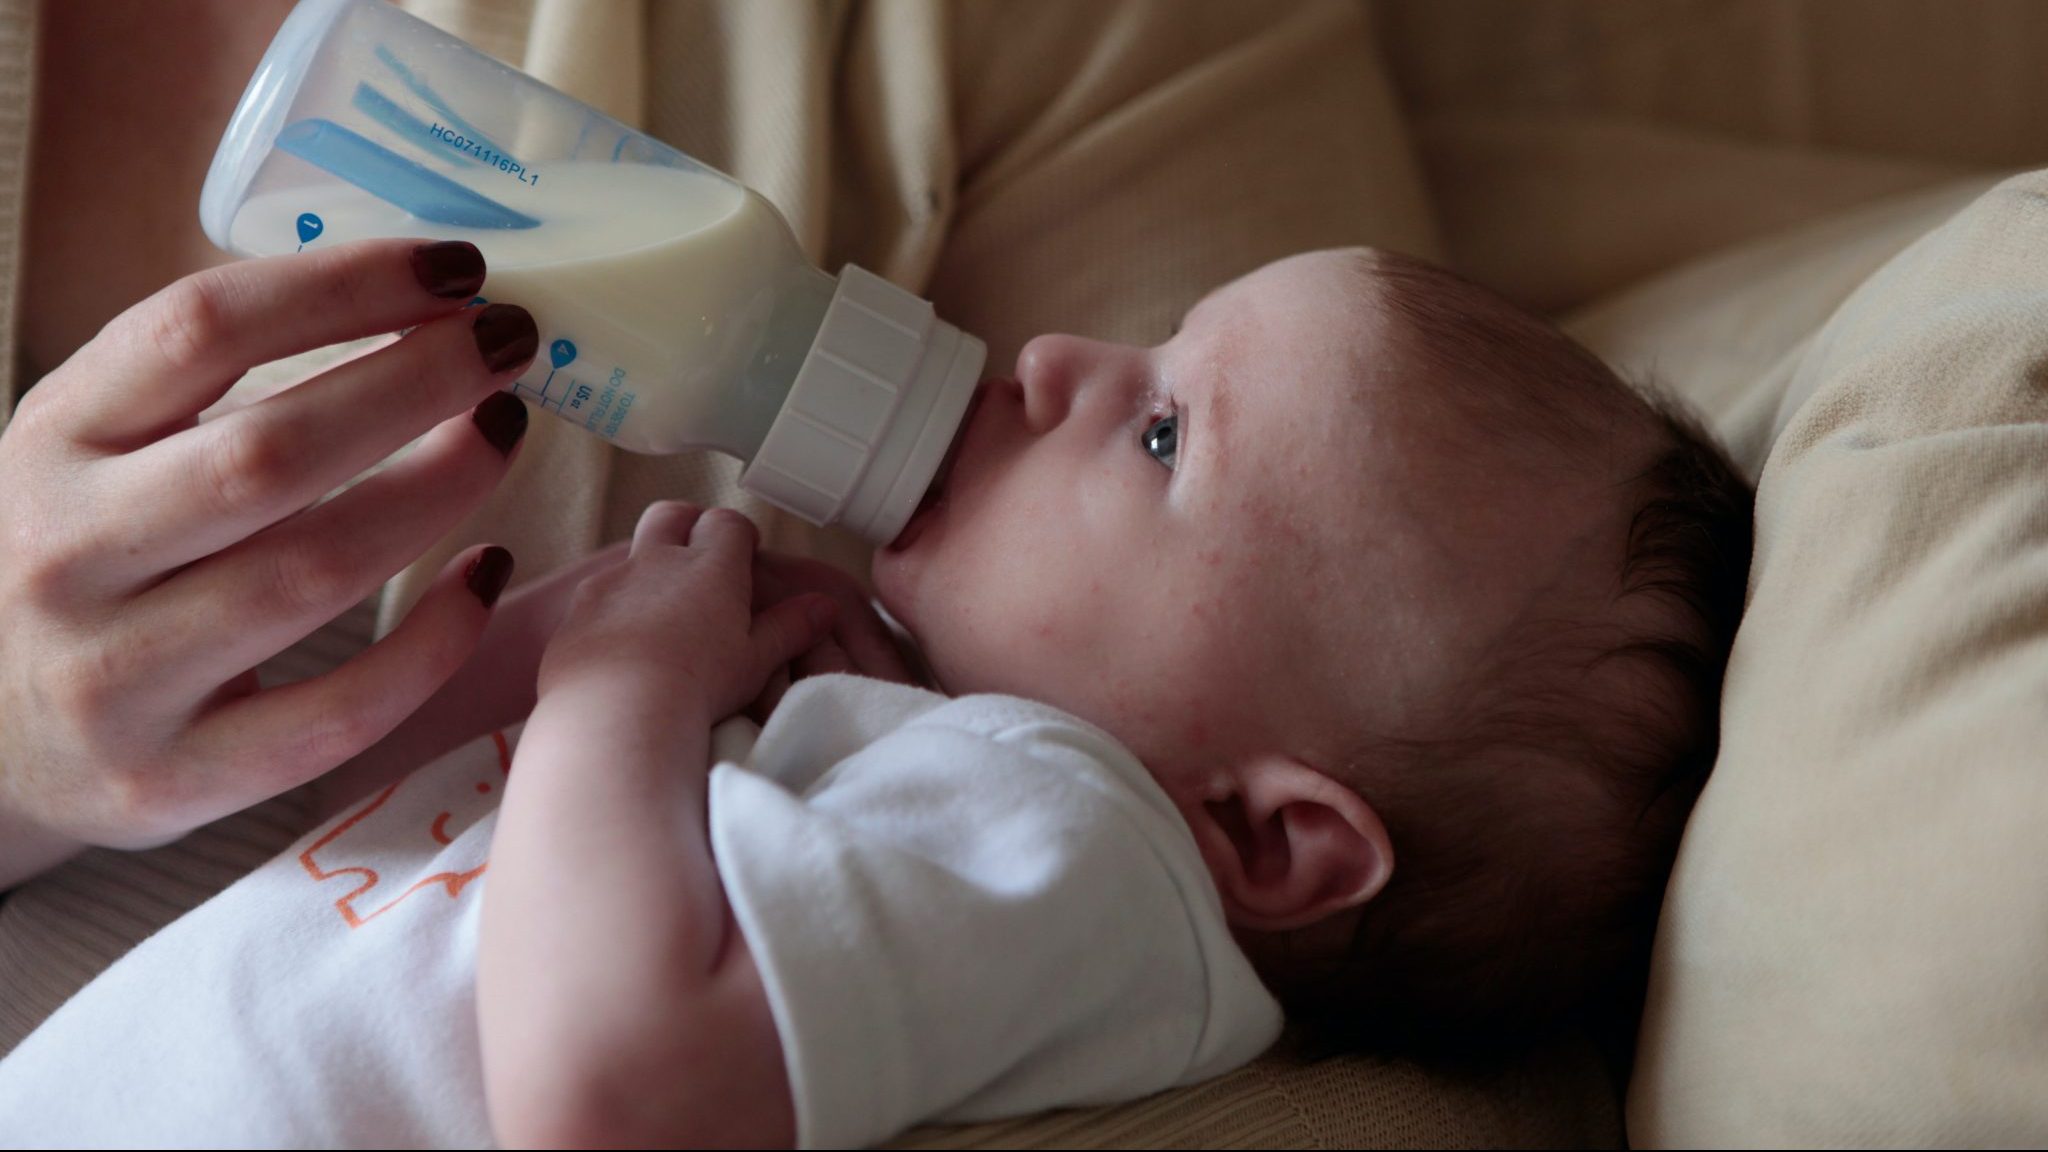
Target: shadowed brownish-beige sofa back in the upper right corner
1572 147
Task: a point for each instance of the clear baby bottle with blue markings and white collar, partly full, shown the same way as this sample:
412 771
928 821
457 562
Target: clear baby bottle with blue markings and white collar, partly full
675 306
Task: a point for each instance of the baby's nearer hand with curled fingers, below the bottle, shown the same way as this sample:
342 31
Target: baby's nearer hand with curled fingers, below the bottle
675 626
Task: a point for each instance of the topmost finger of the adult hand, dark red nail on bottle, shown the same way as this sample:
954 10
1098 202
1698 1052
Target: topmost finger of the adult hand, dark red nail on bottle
163 362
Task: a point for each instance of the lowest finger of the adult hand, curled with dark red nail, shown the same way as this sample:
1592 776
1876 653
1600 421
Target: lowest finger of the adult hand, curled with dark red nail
280 739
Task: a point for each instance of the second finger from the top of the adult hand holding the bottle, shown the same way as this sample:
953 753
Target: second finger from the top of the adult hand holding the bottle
224 481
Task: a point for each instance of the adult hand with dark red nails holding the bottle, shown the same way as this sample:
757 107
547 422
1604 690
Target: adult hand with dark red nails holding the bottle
148 561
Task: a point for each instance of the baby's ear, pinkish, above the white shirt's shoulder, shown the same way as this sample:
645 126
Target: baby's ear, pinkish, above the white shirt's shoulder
1289 846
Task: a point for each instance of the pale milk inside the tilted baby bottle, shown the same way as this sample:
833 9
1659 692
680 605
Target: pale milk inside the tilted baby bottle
663 296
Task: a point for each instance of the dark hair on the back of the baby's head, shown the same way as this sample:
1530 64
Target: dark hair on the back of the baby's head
1537 817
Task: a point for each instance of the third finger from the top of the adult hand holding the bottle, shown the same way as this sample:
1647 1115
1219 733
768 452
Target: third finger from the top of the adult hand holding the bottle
255 600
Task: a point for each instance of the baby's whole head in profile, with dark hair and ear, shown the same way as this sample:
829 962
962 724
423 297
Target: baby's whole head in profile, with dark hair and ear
1414 610
